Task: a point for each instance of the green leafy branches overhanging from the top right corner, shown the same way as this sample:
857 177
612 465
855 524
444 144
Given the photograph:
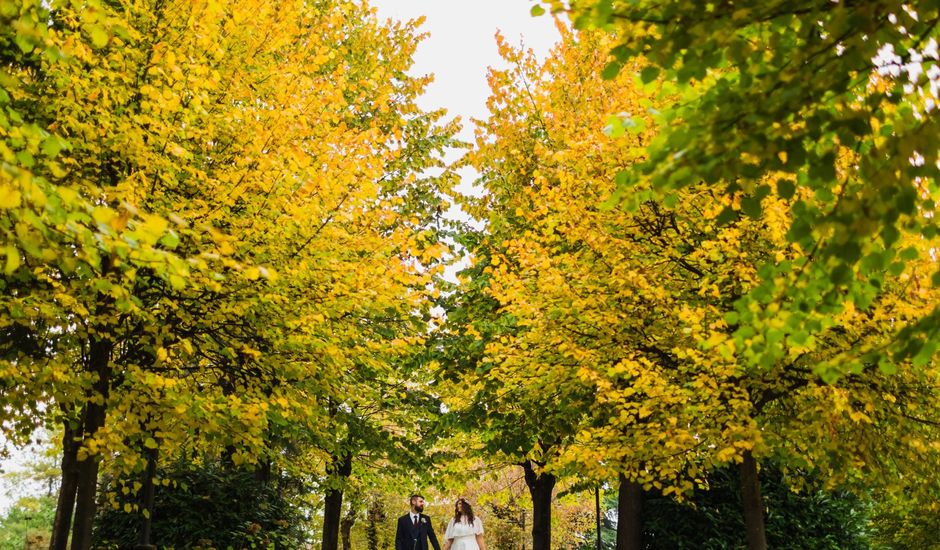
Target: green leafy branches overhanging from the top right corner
770 97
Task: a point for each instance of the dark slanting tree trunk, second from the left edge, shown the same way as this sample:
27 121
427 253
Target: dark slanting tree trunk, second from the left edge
95 412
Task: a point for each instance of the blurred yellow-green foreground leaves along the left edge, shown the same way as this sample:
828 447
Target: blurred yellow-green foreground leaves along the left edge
65 247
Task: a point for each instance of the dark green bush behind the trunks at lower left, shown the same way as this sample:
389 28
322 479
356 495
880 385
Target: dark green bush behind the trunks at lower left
209 506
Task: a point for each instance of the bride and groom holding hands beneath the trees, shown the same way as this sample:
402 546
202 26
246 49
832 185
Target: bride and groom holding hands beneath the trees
464 530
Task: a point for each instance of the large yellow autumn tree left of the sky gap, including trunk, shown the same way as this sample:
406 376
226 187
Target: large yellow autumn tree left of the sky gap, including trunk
282 147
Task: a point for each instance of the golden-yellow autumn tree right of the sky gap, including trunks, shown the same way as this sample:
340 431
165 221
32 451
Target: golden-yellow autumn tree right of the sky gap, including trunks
620 319
